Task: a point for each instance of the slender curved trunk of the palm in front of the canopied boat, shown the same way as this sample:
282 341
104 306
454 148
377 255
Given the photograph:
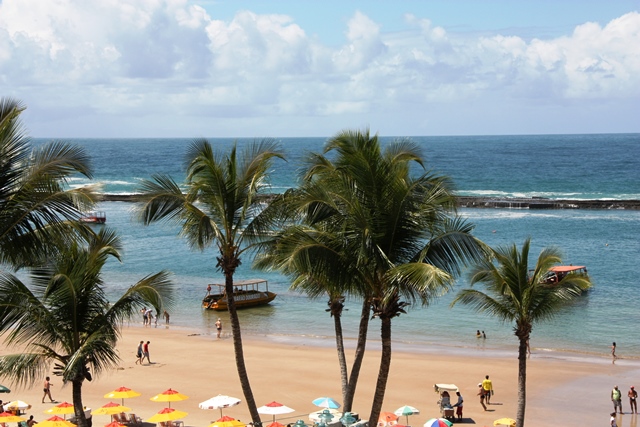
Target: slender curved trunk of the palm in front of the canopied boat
239 351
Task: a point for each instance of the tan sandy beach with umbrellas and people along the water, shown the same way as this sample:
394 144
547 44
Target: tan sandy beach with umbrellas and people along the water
568 388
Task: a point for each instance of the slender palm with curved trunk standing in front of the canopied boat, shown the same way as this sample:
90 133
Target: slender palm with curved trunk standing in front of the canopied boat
221 207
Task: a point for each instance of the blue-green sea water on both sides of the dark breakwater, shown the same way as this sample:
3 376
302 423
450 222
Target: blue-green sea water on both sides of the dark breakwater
554 166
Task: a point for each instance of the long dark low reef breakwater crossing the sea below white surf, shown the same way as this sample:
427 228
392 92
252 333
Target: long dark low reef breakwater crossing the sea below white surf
488 202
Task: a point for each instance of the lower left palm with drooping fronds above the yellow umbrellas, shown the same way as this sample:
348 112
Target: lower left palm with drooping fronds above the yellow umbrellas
64 317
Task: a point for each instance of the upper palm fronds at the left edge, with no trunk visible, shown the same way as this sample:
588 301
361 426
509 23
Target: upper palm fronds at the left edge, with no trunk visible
35 202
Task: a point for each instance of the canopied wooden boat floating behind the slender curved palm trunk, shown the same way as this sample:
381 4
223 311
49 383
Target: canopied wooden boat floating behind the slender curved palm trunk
247 293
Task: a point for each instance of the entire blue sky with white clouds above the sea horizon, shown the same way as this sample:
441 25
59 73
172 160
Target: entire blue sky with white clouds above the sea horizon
279 68
